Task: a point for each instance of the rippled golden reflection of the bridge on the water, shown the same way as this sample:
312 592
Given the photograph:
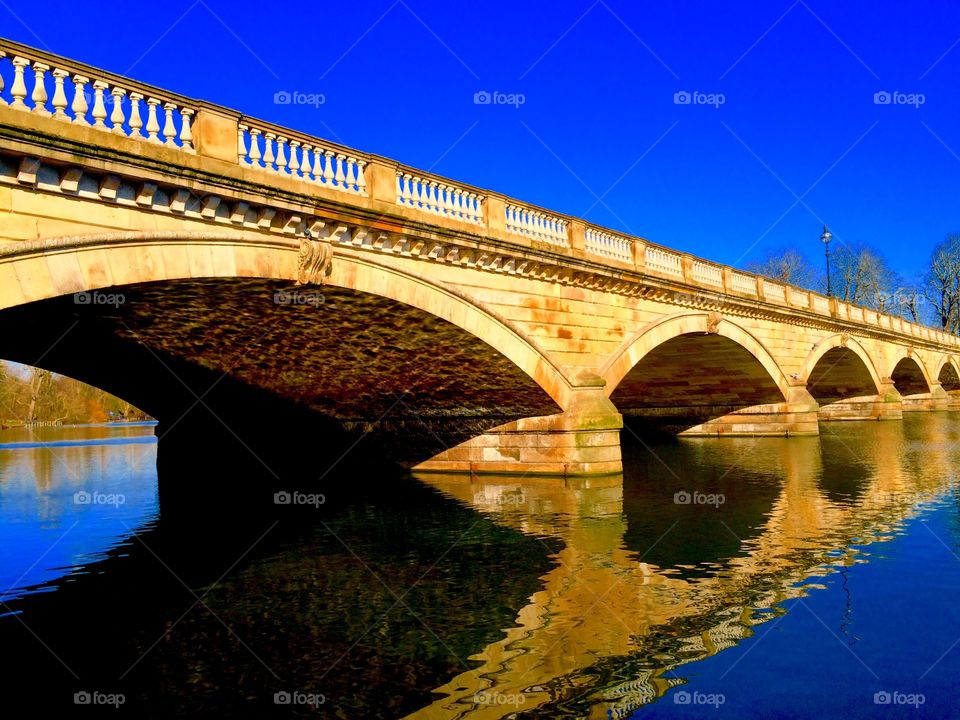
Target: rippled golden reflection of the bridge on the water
625 608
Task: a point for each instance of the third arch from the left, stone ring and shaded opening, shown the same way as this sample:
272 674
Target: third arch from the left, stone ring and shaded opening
839 366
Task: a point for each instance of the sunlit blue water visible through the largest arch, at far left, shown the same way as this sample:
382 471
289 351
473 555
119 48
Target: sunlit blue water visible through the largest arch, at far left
65 503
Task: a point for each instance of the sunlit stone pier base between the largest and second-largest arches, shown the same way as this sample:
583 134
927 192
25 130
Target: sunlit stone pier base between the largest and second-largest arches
582 441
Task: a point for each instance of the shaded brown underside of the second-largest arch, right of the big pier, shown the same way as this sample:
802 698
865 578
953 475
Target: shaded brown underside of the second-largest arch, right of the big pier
692 380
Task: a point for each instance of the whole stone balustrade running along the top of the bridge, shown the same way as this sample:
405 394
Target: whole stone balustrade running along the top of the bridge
45 85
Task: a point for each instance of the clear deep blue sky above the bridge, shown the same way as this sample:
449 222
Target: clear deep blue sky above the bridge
599 119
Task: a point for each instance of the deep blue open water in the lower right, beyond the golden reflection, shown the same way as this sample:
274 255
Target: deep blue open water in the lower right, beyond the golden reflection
883 626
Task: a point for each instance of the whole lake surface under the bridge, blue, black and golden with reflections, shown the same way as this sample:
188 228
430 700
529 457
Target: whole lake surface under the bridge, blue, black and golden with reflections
740 578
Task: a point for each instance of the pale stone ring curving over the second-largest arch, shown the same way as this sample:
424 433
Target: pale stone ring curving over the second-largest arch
655 334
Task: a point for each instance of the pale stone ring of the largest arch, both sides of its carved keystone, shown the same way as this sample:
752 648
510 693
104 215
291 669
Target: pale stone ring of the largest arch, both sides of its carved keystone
33 271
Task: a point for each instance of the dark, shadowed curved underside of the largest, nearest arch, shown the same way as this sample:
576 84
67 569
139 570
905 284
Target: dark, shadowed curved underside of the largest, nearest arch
262 354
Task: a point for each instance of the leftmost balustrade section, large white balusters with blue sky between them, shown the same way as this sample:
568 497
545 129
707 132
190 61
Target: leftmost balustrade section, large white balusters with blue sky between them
85 96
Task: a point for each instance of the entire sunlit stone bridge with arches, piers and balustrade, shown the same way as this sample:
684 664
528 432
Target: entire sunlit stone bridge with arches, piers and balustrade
199 262
